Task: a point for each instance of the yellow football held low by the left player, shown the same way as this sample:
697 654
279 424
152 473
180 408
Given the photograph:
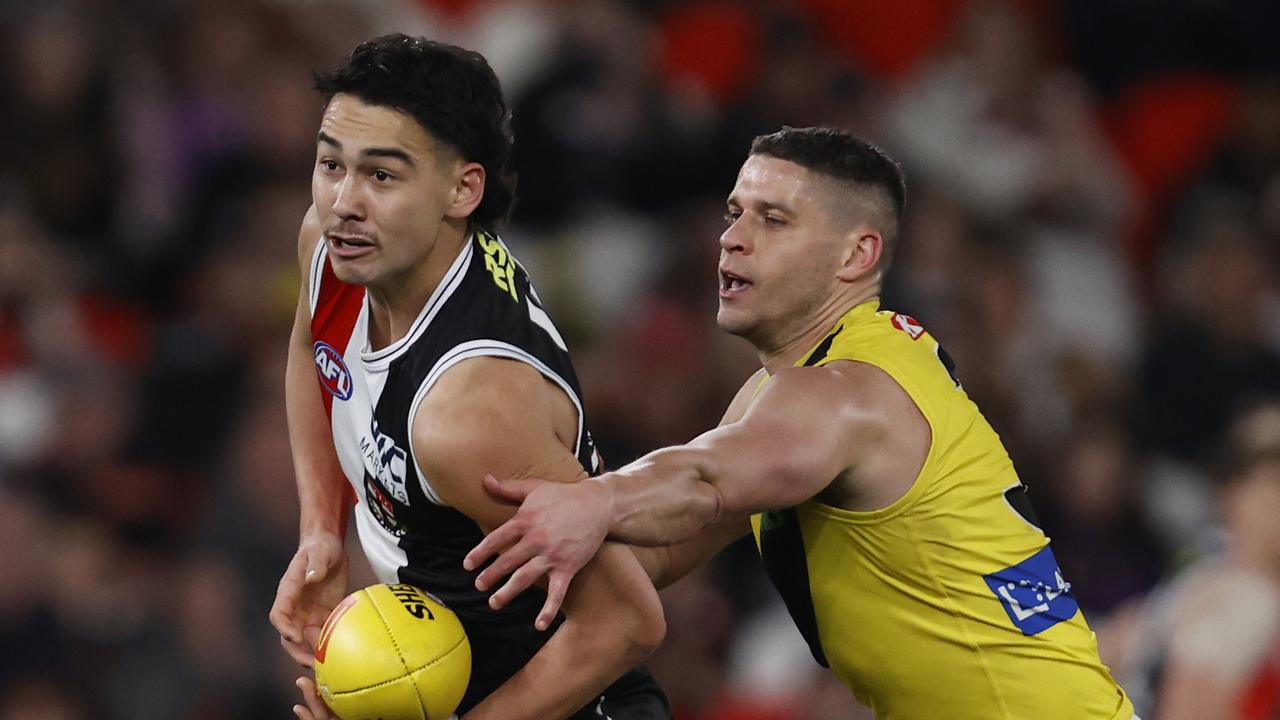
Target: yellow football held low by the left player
392 653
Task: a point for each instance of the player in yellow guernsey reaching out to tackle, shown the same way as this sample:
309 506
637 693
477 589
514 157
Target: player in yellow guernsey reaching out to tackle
885 508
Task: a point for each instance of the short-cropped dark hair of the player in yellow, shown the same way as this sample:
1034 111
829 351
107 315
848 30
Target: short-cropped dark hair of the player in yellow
843 157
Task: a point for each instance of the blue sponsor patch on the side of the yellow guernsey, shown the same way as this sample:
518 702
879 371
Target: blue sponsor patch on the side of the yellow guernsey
1035 594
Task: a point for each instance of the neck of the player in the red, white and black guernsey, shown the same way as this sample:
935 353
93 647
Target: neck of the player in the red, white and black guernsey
396 303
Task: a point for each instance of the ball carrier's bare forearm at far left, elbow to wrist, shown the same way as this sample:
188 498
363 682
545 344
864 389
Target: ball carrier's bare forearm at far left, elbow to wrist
323 495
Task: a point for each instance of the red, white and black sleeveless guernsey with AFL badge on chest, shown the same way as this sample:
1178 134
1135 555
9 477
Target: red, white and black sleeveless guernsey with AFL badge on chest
484 306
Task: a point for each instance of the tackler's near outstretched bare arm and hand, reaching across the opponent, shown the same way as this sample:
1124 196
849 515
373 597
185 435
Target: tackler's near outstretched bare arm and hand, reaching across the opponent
803 430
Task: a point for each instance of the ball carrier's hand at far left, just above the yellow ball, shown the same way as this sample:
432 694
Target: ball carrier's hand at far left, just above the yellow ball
313 585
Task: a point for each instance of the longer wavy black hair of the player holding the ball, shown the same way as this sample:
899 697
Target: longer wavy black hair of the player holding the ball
451 92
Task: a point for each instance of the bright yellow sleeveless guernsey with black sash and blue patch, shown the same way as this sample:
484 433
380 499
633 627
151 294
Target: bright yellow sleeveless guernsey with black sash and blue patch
949 603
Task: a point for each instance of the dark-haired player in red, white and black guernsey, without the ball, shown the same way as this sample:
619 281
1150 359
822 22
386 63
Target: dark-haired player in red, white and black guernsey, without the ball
422 361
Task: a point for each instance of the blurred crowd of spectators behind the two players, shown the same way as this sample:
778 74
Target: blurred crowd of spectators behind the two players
1094 230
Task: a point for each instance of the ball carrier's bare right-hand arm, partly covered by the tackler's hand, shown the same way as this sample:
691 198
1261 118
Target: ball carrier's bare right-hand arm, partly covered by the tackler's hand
502 417
